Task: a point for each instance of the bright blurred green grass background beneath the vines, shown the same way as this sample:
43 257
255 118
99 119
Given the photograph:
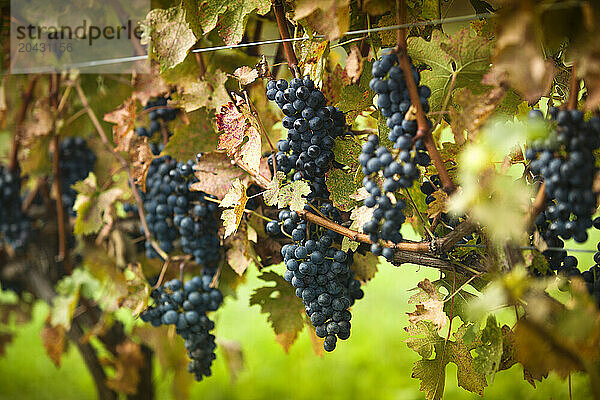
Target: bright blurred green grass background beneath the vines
373 364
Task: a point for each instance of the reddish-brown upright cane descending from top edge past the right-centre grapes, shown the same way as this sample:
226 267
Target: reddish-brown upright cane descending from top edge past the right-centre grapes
423 130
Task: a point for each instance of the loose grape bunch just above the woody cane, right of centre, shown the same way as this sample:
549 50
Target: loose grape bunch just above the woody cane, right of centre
388 214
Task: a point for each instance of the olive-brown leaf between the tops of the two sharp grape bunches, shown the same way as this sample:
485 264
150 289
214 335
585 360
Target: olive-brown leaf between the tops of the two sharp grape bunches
357 98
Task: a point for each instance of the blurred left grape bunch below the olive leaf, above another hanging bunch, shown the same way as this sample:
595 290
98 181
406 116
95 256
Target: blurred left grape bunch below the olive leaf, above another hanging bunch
177 215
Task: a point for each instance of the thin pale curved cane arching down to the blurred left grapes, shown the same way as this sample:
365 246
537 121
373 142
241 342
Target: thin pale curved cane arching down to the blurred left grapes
125 165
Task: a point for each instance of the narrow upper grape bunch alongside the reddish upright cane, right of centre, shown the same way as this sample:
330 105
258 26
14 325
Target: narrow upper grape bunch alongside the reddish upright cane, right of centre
393 100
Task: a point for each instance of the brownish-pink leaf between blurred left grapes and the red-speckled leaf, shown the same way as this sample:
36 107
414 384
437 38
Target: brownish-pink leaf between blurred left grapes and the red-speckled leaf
215 172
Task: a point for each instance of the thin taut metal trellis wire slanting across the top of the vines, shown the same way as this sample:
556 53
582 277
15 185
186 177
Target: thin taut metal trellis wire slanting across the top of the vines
112 61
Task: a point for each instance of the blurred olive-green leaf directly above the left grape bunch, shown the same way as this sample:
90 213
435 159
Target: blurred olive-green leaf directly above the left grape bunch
192 135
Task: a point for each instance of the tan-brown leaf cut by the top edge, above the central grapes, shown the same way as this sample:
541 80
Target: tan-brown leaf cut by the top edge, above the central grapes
331 18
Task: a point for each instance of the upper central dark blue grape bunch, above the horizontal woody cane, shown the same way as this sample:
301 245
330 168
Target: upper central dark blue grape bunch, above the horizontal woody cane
312 127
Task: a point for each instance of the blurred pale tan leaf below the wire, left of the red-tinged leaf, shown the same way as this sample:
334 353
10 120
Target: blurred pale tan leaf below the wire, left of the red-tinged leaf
209 92
